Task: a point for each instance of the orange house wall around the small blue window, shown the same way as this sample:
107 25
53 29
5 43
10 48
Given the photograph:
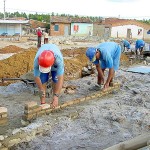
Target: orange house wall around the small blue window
62 28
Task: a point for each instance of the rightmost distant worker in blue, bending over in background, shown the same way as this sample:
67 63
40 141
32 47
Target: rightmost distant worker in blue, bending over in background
139 45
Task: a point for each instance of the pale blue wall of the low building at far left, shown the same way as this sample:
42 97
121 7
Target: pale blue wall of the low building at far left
11 29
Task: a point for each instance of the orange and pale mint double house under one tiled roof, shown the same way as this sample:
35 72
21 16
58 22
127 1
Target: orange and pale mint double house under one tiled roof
63 26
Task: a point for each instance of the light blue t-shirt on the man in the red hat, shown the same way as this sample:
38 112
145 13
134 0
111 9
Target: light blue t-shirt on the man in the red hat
58 65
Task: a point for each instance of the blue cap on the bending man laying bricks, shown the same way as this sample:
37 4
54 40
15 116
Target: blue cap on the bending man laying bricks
90 53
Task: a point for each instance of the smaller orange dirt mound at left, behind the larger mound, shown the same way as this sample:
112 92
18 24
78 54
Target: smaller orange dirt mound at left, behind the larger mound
11 49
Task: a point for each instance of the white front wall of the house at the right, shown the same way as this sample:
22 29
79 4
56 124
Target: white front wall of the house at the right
121 31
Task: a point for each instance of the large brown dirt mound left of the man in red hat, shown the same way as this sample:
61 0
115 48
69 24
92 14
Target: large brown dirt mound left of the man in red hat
17 64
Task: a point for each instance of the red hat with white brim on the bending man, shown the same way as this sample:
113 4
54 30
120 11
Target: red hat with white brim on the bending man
46 60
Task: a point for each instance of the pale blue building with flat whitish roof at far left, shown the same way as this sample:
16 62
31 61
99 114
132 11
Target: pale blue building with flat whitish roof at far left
13 27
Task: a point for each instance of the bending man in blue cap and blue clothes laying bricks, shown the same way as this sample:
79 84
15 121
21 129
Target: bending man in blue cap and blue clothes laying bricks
105 55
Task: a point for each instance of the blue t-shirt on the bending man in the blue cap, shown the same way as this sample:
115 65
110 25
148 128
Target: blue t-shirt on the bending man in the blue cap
109 55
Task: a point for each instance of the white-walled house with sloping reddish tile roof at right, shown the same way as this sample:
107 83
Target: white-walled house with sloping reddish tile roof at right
130 29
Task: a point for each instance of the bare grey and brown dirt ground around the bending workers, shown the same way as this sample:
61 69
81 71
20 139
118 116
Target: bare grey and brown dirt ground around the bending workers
96 124
